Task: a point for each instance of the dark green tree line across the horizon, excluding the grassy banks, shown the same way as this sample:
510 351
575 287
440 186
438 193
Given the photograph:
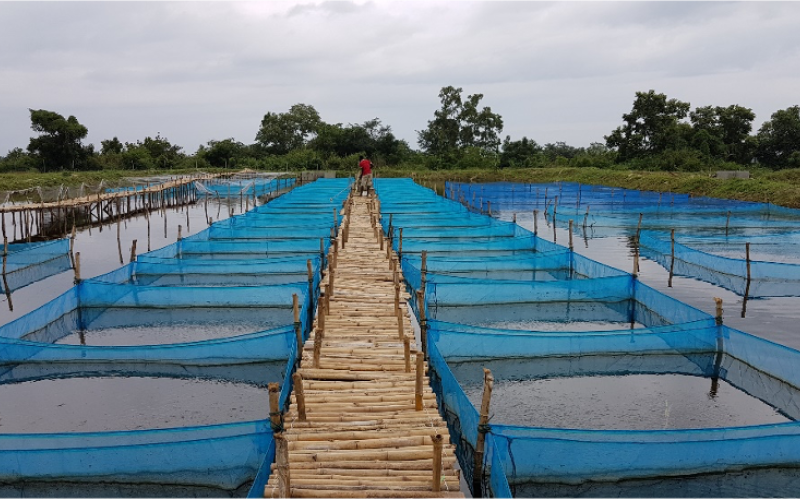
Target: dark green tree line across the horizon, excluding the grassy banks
659 133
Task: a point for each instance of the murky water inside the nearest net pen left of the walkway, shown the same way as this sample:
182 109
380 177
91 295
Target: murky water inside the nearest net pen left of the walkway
95 404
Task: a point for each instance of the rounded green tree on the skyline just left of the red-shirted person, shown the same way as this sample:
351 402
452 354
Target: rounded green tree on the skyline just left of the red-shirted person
282 132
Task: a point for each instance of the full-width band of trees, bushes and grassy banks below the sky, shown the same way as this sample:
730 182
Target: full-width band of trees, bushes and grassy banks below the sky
662 144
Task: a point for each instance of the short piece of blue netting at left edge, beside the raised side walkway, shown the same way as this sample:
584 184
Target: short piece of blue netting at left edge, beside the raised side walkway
27 263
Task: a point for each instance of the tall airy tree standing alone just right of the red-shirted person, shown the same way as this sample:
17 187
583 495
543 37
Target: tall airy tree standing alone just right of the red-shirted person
460 124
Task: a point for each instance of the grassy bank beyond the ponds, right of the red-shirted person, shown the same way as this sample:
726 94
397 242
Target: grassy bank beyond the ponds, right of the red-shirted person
780 188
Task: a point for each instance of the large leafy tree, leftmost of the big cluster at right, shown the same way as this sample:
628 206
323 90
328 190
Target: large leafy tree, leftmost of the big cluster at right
652 127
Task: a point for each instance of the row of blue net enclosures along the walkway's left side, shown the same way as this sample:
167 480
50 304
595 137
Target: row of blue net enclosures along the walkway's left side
218 305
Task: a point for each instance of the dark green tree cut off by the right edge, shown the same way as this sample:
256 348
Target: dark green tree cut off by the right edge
779 139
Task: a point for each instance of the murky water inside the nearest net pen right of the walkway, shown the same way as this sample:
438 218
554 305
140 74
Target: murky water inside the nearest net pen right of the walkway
630 402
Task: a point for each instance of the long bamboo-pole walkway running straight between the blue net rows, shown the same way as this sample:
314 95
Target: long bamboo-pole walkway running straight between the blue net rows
363 421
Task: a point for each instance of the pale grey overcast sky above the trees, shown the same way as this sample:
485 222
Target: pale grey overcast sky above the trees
198 70
